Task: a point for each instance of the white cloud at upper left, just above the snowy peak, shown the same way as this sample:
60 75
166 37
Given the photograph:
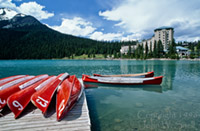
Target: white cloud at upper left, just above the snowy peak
29 8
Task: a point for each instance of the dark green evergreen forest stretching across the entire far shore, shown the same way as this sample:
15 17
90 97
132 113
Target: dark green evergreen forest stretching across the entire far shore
40 42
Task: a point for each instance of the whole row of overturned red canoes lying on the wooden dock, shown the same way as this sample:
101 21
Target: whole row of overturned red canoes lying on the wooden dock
18 91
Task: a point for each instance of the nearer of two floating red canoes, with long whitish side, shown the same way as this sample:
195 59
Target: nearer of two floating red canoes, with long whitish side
123 81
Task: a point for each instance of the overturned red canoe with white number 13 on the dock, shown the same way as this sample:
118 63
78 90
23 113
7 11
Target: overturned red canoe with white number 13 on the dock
42 98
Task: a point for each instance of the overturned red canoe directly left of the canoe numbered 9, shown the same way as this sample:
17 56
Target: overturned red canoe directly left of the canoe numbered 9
5 93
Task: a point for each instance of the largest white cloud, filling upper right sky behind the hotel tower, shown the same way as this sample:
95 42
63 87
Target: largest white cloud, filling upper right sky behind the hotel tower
142 16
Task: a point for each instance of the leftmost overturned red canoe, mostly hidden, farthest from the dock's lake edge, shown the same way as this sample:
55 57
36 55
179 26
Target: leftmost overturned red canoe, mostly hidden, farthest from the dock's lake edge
10 79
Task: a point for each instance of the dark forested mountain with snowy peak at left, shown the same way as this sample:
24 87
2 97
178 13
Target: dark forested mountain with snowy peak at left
24 37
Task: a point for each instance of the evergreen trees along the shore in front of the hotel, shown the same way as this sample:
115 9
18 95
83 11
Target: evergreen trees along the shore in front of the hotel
145 52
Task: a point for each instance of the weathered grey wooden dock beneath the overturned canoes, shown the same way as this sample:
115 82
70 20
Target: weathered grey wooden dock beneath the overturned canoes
76 120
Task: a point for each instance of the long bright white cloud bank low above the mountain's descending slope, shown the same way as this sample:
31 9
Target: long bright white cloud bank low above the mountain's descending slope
80 27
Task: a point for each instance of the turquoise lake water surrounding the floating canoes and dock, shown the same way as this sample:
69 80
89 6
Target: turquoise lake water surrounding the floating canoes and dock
174 105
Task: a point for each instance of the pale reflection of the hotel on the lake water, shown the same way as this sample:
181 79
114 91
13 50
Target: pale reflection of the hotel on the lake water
164 68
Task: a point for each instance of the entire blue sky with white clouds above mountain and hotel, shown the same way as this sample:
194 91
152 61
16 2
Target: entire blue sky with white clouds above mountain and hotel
114 20
